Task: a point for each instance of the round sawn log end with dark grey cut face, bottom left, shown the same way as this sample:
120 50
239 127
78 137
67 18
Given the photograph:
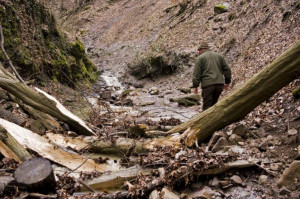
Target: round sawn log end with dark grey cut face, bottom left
37 175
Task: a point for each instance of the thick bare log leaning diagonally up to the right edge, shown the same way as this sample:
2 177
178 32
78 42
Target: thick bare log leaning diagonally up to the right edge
259 88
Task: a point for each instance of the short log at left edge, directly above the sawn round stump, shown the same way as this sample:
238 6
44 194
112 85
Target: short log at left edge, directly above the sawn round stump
10 148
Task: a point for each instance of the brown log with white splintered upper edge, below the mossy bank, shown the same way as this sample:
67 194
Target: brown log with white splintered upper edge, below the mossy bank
41 101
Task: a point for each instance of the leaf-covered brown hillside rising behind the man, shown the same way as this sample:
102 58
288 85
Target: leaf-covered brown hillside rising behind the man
117 33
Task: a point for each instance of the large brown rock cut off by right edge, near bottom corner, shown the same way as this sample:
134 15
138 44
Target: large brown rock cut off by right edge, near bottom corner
290 175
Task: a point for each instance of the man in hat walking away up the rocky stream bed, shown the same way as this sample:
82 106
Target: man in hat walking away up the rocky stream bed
210 70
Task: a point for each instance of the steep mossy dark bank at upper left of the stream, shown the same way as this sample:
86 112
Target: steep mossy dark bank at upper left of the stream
37 48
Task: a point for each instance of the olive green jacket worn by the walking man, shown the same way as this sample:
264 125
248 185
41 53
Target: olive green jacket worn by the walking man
211 68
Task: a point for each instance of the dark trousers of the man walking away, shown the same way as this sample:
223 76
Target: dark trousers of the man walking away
211 95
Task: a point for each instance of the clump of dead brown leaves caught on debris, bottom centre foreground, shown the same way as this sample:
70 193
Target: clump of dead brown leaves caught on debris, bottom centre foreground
179 169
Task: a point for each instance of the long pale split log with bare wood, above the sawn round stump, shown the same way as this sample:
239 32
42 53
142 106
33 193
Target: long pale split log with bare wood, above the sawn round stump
52 152
